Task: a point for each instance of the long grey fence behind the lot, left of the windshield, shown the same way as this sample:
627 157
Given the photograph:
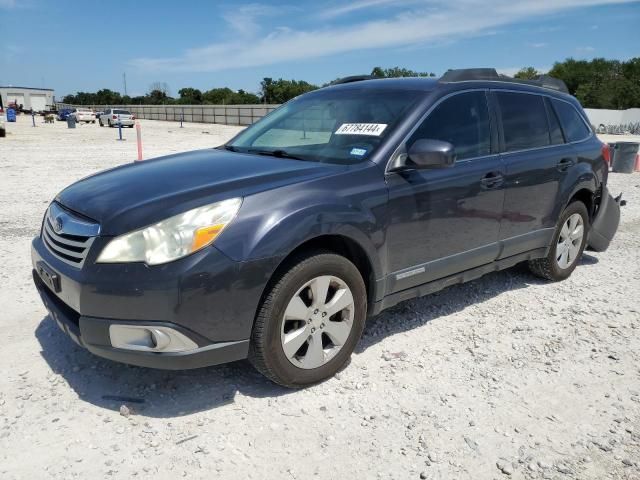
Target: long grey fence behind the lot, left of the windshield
222 114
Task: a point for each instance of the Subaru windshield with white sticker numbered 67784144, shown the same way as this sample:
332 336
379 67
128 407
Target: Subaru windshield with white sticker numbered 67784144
343 126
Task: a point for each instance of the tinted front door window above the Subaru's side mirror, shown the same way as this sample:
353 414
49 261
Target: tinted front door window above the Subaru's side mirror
463 121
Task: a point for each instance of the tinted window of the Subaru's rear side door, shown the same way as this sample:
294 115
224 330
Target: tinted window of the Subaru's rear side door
524 121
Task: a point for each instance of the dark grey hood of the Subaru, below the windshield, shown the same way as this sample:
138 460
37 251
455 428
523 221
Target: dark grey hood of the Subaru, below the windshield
140 194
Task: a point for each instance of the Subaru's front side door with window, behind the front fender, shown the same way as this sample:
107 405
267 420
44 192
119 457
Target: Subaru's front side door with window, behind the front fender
446 220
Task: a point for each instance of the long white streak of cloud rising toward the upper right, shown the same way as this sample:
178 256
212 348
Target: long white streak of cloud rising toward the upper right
443 20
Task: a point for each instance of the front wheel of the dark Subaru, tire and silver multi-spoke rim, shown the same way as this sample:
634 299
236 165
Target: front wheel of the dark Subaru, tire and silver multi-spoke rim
270 330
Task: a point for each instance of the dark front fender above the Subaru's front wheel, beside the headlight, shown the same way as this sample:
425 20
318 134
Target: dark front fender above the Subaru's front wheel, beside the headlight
272 224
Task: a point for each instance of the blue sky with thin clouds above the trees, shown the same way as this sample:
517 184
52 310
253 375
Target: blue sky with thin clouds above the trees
87 45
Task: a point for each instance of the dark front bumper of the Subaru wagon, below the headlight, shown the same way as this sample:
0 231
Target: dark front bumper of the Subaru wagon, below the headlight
206 297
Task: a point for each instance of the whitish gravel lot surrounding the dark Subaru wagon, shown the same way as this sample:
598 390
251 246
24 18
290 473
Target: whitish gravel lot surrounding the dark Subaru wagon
507 376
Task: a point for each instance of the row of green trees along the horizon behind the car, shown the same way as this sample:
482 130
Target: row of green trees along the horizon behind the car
597 83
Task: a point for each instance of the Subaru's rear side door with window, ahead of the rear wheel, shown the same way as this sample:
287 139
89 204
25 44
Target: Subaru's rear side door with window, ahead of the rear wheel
535 159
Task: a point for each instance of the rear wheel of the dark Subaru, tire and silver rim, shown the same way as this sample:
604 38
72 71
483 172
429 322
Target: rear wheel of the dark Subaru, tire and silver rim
555 266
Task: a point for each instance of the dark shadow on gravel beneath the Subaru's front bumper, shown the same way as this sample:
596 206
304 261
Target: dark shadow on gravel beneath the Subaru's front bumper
149 392
